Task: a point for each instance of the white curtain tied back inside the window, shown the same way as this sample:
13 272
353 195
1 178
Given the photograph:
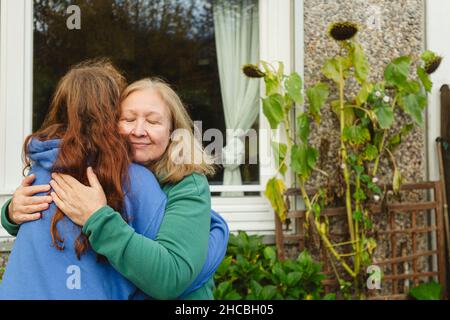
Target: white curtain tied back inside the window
236 27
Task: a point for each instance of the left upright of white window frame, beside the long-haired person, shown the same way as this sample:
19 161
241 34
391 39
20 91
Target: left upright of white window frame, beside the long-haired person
16 84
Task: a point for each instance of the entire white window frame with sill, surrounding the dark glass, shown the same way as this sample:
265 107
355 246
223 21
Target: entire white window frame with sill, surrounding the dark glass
16 107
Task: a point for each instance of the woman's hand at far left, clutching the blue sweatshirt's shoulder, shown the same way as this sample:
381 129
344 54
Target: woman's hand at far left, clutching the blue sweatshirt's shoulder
25 206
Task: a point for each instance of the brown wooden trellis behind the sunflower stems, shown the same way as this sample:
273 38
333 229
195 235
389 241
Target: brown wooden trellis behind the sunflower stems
393 260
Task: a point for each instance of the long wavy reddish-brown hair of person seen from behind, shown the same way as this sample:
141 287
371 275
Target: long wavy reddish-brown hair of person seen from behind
84 113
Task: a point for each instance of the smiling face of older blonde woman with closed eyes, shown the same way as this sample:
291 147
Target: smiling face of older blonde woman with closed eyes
146 120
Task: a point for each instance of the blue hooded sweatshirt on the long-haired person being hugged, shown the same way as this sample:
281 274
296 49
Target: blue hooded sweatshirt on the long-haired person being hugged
37 270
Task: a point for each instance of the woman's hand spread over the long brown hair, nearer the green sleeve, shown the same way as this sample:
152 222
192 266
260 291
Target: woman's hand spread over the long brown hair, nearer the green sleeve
77 201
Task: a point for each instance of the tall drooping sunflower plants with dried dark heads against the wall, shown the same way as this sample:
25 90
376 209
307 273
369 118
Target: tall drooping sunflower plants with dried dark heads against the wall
365 122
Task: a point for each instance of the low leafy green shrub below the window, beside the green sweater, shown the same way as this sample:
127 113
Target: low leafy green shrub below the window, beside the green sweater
251 271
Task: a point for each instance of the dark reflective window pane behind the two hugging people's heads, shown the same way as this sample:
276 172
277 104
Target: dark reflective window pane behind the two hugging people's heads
173 40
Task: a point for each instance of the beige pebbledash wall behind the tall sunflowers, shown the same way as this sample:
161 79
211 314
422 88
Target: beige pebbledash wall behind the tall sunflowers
389 29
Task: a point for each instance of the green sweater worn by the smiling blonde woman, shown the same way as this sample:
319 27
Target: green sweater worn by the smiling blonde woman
162 268
